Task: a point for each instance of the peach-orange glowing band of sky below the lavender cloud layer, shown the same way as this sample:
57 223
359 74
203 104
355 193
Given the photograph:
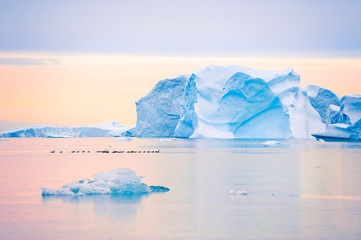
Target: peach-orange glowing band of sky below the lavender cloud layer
88 89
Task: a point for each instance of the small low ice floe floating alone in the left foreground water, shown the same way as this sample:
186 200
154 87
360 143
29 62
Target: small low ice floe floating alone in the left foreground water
118 181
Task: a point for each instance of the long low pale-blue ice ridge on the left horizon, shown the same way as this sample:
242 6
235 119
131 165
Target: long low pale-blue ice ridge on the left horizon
106 129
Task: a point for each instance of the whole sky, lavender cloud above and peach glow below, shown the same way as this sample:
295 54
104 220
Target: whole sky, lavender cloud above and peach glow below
82 62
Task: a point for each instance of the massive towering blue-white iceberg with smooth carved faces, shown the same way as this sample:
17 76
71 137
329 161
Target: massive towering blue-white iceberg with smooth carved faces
239 102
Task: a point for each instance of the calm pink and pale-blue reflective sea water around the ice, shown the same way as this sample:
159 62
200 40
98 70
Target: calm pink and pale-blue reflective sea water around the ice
296 190
